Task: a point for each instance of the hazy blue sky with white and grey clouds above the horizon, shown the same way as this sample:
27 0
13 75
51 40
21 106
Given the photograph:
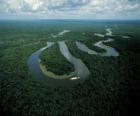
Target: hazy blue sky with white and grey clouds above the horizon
69 9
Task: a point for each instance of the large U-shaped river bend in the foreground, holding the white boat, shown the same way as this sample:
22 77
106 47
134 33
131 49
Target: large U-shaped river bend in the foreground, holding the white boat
80 68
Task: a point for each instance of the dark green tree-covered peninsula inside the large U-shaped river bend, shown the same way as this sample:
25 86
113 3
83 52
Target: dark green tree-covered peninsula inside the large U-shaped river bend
55 61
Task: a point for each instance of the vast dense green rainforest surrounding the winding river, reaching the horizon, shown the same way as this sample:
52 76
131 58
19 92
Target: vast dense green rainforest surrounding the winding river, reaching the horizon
113 88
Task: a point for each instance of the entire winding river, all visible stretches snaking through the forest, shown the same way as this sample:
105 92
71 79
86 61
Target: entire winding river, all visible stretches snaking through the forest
81 71
